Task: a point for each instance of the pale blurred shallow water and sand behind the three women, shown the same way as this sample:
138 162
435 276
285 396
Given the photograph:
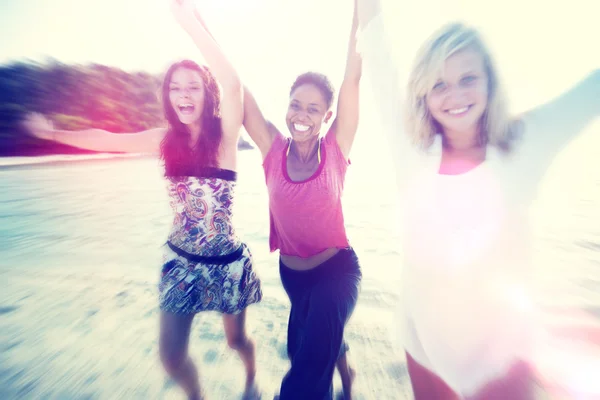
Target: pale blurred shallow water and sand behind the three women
80 261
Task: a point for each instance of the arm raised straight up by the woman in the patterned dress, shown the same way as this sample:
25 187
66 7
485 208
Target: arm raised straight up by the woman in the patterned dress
232 115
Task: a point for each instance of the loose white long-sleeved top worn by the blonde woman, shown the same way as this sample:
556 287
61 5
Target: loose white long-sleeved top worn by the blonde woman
466 237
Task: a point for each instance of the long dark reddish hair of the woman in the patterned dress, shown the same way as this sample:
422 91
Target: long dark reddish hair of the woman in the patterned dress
179 158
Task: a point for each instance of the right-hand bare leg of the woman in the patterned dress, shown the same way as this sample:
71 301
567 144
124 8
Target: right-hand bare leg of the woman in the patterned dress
235 330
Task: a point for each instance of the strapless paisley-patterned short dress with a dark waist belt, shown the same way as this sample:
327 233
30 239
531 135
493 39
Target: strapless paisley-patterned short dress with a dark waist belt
205 265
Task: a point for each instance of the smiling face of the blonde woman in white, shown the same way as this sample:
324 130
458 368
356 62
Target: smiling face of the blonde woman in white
459 98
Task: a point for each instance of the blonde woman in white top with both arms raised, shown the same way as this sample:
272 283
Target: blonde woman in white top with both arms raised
468 173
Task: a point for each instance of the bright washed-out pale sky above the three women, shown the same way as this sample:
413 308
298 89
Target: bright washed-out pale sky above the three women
541 47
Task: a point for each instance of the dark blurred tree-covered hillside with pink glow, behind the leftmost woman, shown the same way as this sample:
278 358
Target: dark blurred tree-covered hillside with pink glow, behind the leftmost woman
74 98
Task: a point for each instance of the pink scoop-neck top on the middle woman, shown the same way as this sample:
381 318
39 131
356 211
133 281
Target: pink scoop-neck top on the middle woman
306 216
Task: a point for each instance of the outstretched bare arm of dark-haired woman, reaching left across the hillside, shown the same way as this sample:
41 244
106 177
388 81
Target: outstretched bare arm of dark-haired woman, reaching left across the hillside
147 141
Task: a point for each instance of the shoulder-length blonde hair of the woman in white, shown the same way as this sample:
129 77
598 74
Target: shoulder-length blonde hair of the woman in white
497 128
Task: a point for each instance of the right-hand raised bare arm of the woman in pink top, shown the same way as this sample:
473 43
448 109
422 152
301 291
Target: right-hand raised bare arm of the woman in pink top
346 121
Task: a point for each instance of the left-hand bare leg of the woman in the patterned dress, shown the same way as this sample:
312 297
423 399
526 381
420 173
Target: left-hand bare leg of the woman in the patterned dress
173 343
